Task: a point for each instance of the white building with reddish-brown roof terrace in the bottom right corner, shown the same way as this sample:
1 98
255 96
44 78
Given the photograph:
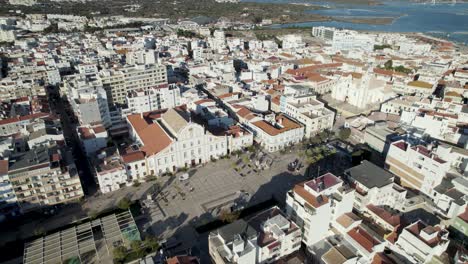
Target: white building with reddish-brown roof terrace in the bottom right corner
420 242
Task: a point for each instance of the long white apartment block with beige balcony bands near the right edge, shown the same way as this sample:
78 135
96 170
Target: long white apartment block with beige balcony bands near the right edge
416 166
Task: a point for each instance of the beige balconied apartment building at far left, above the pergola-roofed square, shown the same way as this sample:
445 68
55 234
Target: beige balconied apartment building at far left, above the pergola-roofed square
43 176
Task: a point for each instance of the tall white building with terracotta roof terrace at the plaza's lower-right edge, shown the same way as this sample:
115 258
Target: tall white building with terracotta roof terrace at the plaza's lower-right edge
314 204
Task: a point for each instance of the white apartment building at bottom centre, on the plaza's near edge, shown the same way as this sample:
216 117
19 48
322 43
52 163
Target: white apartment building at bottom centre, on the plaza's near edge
263 238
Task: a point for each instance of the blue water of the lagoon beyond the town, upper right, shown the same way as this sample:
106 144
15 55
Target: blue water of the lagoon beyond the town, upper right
444 20
